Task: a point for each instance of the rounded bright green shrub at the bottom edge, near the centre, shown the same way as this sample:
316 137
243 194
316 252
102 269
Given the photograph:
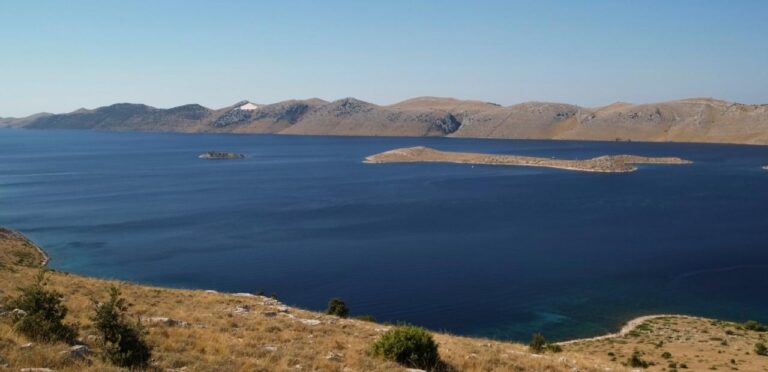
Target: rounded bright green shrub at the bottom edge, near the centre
409 346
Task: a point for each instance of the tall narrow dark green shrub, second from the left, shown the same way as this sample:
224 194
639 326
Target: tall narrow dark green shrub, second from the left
122 342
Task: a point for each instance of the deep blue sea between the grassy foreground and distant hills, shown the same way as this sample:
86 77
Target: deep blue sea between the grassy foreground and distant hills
478 250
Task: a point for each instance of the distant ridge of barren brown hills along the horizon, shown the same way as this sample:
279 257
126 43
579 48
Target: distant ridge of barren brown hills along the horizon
687 120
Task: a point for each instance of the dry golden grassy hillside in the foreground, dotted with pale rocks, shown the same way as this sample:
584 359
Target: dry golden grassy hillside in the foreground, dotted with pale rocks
195 330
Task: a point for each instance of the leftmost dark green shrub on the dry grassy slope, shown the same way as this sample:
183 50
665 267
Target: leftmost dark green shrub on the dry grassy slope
45 311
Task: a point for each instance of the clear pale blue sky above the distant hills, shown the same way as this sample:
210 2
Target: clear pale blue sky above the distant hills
58 56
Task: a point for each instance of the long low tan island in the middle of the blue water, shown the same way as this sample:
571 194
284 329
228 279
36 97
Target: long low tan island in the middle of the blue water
604 164
